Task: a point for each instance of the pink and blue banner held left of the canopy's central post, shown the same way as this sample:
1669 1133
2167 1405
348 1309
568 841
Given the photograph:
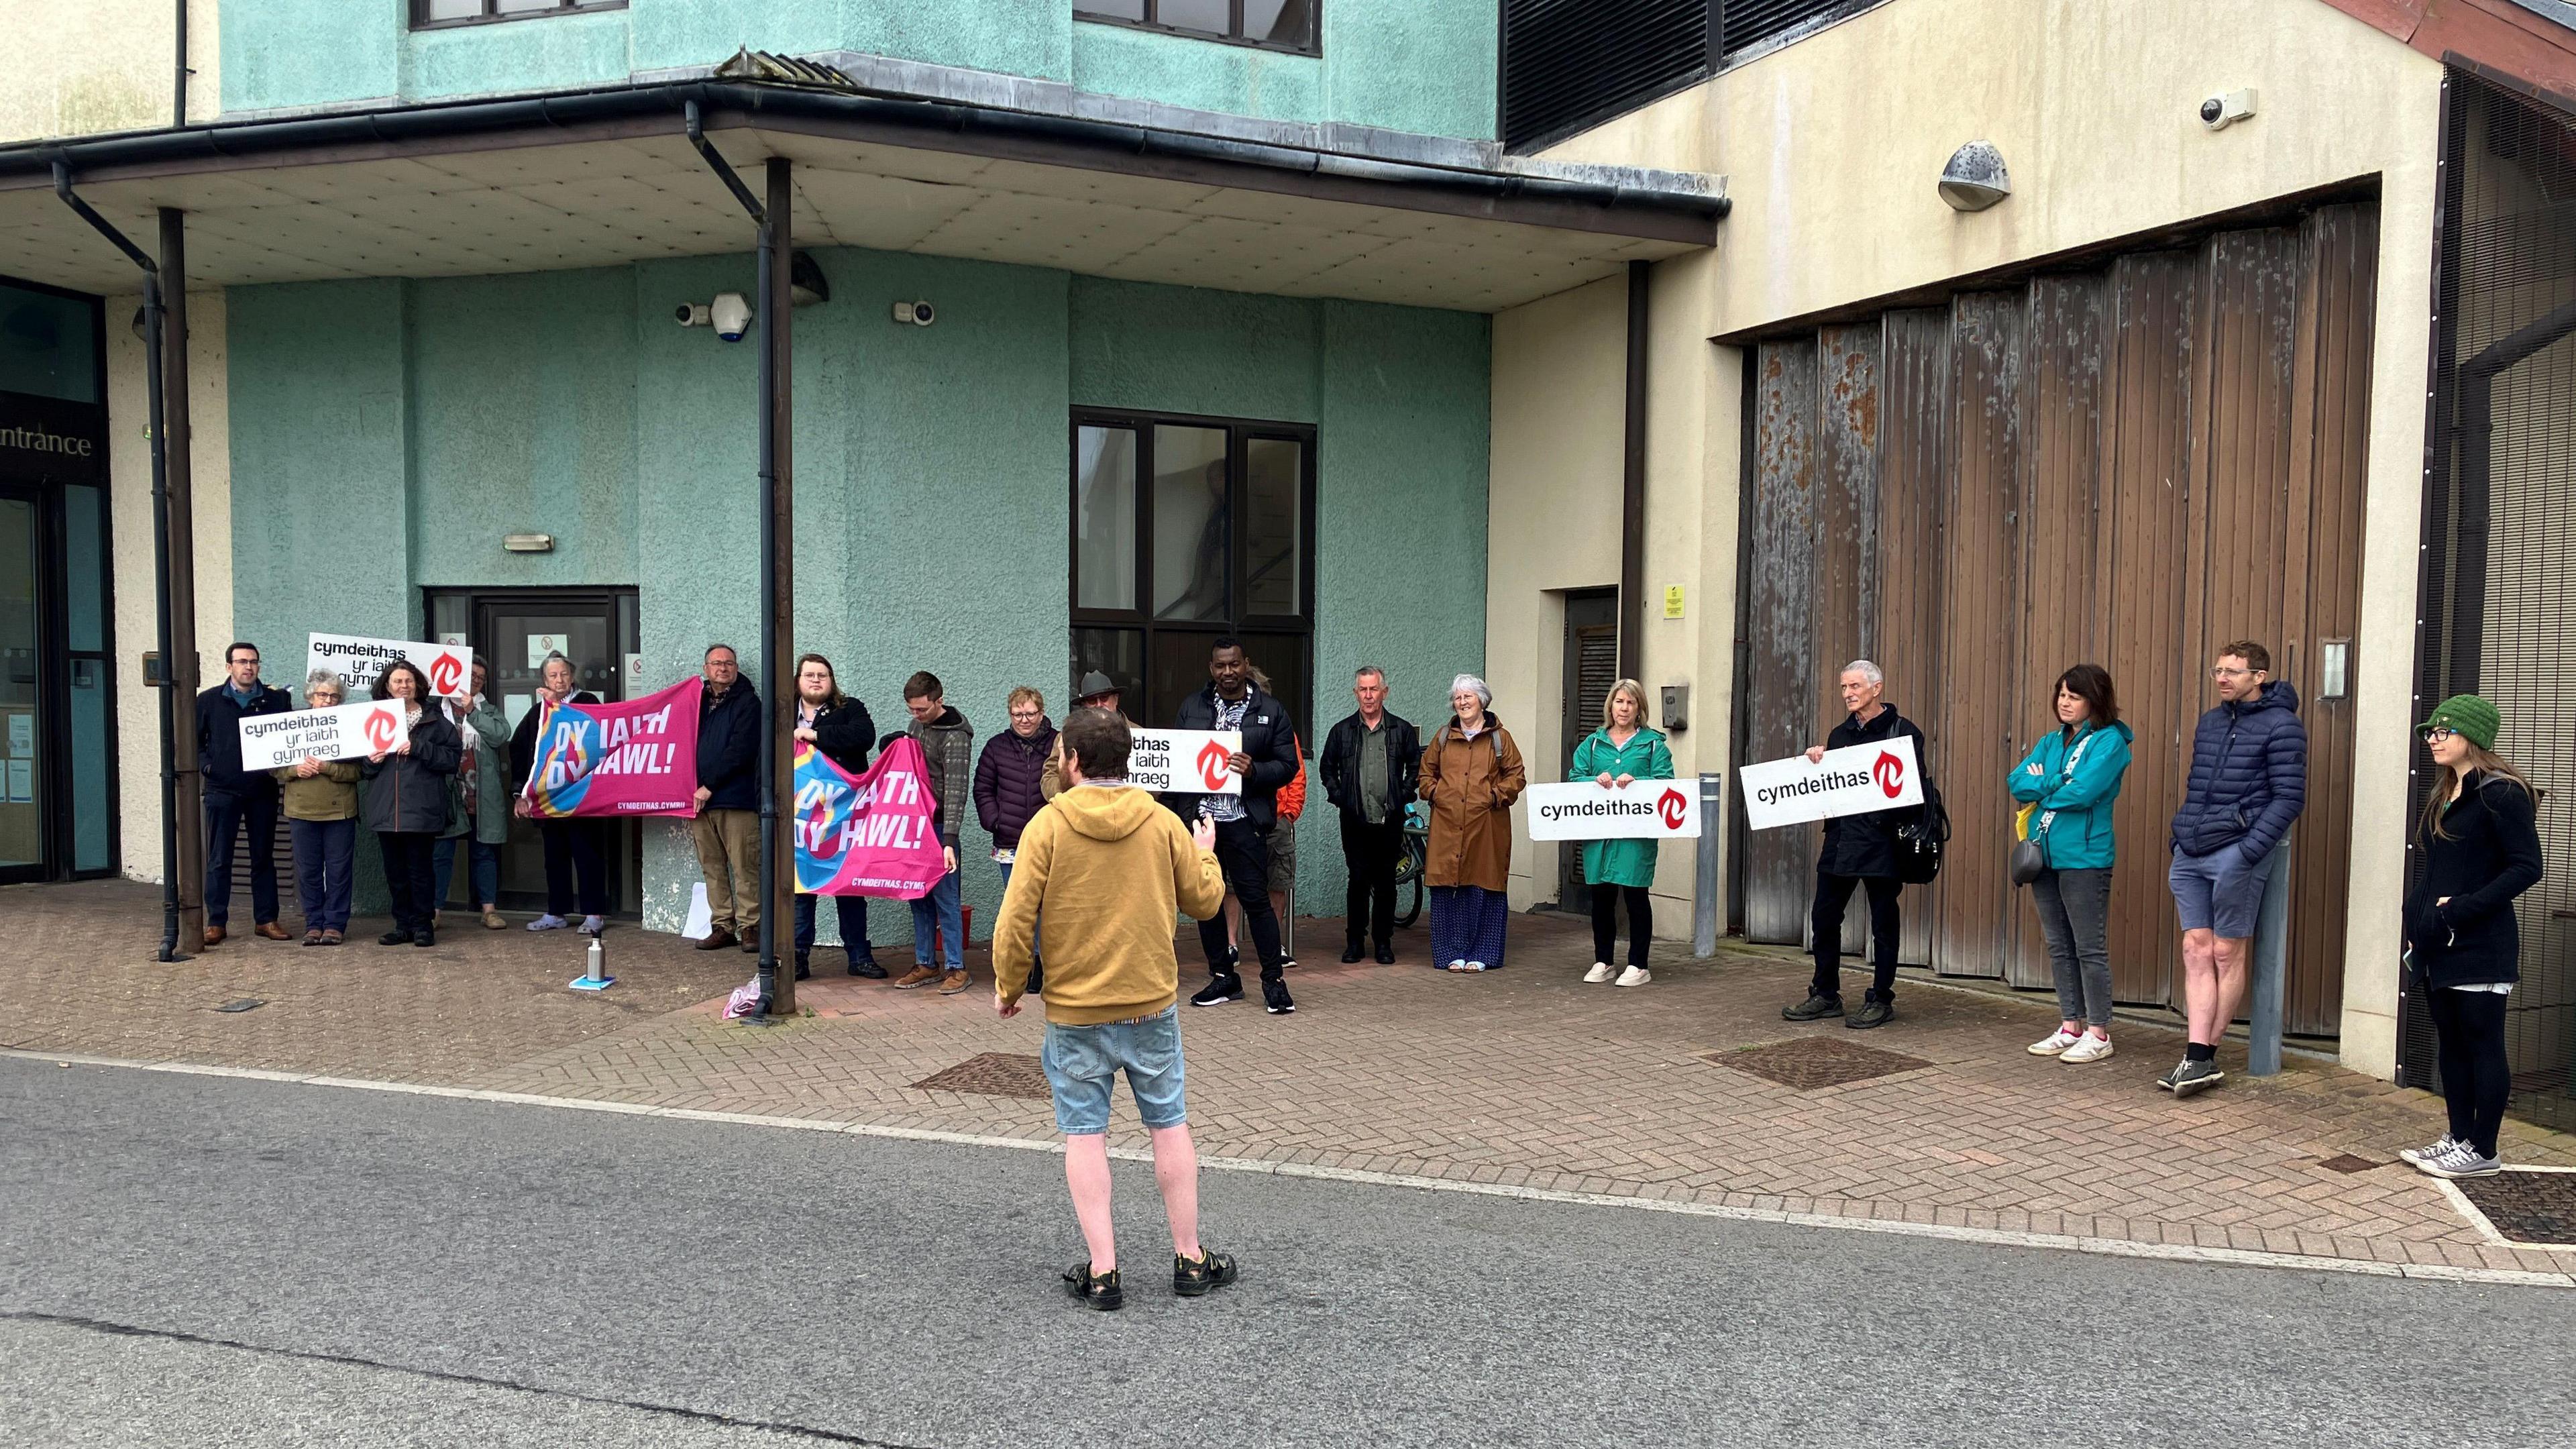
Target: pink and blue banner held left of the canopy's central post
620 759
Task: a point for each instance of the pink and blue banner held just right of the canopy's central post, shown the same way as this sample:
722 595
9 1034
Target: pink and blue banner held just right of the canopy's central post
869 834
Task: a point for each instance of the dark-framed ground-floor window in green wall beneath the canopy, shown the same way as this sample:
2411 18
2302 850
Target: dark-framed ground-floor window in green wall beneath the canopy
1186 530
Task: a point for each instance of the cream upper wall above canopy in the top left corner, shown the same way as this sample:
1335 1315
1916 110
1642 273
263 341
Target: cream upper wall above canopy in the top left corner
102 66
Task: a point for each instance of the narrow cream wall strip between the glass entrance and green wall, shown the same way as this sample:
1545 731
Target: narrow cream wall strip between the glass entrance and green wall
130 486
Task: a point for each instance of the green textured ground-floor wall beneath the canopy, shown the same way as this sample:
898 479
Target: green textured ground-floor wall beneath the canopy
385 437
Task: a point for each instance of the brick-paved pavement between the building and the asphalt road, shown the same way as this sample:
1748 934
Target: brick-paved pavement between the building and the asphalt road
1524 1076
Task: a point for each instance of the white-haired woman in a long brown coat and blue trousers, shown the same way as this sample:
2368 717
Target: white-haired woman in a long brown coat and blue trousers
1470 775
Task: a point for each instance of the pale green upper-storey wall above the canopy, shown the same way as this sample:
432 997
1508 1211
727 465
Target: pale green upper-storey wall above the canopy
1410 66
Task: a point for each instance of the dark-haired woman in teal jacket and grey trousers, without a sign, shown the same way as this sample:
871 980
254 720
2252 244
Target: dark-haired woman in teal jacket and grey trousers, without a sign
2072 780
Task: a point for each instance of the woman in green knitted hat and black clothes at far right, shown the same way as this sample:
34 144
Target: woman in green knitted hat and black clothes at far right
2482 850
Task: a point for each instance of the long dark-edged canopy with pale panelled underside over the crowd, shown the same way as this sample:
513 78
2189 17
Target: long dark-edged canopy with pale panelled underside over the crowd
607 192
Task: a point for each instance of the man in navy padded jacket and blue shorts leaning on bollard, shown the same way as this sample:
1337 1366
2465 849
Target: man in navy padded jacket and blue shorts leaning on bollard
2250 780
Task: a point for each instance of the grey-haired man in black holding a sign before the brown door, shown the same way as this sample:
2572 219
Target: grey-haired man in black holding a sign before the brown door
1859 855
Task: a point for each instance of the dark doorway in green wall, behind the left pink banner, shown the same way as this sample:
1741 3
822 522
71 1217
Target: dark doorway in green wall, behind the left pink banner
514 633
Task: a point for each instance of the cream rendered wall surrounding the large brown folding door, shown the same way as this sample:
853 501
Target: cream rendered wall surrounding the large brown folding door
1833 146
